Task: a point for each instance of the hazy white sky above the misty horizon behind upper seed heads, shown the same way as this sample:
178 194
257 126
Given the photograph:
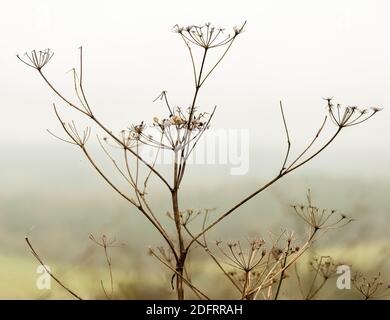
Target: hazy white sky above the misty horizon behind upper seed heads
297 51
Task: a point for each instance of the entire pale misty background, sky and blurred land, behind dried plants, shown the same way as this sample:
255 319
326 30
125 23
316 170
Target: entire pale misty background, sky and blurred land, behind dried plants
298 52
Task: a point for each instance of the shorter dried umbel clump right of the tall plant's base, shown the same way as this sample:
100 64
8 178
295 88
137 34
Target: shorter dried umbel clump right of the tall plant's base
258 265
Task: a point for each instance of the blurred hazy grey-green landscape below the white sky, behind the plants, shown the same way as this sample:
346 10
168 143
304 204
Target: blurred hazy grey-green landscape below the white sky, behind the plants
60 206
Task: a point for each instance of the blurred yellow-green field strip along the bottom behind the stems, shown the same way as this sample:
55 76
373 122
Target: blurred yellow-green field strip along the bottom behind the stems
18 277
